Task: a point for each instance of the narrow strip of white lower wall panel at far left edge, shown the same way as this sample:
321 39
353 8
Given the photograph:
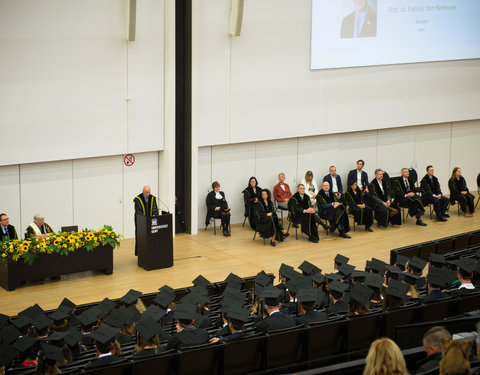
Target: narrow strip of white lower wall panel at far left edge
10 195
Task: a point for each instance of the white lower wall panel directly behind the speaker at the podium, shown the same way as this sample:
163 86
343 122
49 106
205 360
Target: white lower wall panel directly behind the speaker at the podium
143 172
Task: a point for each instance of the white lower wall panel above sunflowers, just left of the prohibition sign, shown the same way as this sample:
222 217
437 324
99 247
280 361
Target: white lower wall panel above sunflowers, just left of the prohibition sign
98 192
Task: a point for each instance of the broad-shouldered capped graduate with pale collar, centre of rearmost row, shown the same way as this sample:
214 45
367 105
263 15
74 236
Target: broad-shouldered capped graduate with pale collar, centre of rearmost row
275 319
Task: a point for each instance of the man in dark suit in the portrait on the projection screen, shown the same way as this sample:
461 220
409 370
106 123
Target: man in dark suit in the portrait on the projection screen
361 23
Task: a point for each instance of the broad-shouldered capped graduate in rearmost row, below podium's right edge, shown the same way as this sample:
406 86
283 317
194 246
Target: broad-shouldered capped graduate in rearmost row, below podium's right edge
187 334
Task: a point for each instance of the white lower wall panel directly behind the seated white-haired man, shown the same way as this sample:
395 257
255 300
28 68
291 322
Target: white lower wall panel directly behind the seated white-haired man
46 188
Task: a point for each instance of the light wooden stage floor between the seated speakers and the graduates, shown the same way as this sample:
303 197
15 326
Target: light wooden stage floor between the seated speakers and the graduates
216 256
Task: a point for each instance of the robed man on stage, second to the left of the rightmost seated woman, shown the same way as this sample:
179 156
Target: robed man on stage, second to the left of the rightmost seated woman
406 196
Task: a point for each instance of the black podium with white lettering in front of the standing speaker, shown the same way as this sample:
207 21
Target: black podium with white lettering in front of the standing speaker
154 241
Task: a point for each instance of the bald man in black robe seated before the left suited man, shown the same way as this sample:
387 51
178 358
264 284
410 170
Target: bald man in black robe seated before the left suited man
333 210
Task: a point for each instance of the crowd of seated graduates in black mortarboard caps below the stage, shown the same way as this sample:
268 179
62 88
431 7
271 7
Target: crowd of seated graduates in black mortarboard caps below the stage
97 336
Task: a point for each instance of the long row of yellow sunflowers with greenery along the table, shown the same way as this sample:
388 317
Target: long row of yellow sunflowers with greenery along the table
59 243
